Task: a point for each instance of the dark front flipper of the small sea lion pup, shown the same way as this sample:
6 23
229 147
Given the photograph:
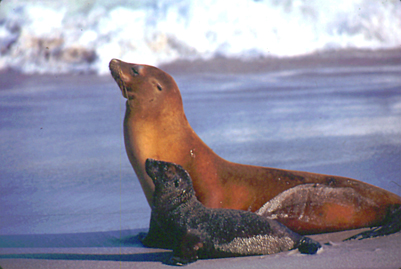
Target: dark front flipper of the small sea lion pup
187 249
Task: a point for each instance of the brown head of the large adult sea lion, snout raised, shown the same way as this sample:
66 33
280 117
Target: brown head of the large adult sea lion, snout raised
146 88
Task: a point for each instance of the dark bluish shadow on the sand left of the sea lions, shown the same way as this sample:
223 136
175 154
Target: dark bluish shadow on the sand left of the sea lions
60 246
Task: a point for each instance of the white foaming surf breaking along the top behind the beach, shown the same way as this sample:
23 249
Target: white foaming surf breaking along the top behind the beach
82 36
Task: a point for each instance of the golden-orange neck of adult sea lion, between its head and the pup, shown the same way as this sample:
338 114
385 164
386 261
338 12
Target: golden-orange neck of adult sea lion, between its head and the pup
160 139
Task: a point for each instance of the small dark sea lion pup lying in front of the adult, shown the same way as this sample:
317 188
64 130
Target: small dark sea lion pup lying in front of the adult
200 232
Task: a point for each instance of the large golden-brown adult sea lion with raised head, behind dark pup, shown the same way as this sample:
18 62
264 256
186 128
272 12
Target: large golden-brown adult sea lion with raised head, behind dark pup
155 127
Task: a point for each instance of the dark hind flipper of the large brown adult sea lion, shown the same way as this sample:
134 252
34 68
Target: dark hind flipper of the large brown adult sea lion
392 225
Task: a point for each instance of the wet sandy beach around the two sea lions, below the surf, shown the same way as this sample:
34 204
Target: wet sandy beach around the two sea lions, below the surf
70 199
